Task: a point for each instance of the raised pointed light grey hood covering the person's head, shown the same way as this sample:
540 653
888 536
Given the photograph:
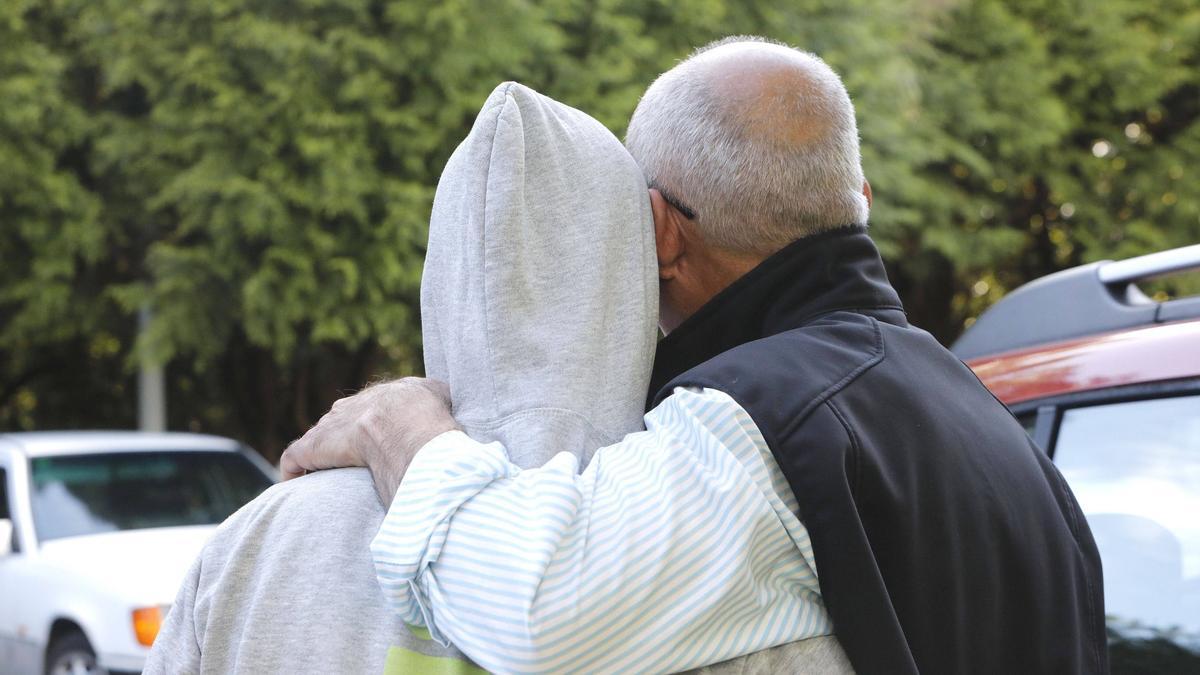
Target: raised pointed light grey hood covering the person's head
539 298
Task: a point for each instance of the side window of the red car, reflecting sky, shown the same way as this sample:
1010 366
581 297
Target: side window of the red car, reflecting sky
1136 470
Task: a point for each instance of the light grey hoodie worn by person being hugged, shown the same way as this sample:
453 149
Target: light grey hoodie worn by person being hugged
539 303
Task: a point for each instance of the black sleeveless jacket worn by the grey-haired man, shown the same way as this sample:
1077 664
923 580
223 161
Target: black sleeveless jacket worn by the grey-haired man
945 540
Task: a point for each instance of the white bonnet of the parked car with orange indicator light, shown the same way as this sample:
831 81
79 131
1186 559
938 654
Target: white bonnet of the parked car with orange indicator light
142 566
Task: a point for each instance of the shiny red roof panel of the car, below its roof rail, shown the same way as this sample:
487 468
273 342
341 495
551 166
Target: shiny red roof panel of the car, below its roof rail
1155 354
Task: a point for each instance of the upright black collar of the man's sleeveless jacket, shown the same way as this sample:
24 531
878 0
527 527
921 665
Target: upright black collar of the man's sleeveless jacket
832 272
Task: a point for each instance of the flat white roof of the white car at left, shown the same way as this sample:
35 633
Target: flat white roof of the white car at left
44 444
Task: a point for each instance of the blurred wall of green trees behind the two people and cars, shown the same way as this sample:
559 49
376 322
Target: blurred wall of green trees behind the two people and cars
235 194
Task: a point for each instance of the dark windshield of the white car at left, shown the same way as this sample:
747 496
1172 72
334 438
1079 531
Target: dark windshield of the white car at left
79 495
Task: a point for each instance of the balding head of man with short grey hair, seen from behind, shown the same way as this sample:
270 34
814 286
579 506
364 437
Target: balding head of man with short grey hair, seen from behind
748 146
